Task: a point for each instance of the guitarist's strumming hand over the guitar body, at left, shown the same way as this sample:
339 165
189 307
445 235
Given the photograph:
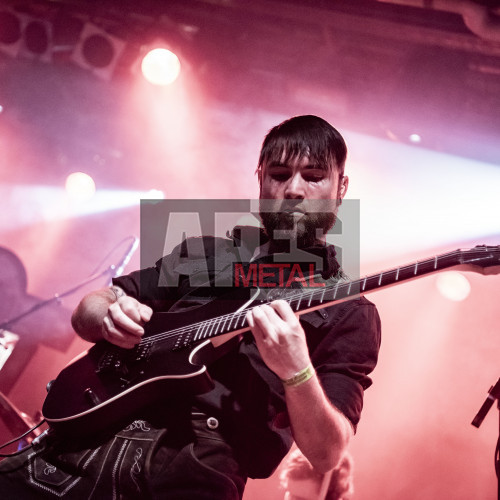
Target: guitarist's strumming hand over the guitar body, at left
123 324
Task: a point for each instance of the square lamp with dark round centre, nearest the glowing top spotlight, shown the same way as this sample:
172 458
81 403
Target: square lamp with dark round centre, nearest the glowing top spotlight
98 51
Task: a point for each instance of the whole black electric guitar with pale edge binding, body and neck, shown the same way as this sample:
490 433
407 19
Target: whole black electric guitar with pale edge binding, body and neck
107 383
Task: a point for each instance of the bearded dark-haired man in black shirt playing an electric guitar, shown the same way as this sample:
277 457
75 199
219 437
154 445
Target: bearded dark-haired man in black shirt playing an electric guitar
286 379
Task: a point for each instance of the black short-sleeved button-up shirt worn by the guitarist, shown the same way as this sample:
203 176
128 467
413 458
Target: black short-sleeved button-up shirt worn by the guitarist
248 398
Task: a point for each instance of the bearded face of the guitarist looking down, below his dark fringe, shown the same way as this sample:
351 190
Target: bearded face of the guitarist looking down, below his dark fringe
299 198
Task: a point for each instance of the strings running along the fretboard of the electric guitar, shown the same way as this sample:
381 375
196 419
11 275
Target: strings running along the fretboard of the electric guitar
338 286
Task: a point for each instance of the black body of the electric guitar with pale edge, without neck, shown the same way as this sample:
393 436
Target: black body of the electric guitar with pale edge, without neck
107 383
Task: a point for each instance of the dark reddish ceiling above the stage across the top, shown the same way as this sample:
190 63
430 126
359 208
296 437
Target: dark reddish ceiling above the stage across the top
386 69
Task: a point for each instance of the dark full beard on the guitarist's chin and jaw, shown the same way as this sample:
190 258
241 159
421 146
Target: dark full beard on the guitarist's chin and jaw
306 230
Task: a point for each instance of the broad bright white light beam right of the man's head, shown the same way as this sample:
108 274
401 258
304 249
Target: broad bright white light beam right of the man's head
430 200
